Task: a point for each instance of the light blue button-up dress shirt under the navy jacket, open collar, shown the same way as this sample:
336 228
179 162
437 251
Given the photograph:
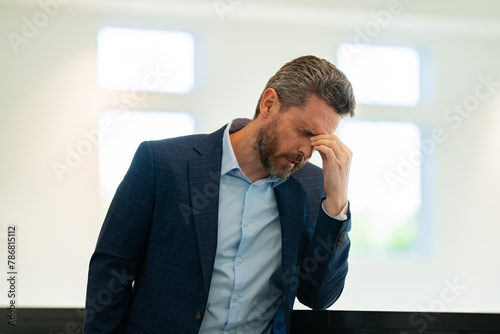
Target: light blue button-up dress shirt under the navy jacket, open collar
245 291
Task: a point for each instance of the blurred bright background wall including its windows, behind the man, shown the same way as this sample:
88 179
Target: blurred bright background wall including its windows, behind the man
84 82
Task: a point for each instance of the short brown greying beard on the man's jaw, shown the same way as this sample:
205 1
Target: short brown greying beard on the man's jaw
267 146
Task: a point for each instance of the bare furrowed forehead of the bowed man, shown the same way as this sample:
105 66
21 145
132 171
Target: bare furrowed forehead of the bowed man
315 117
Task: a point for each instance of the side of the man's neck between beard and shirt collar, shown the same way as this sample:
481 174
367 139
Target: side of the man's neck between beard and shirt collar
243 143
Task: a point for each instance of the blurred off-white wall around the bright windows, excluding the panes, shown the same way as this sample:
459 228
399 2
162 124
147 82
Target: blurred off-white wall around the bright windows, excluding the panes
49 96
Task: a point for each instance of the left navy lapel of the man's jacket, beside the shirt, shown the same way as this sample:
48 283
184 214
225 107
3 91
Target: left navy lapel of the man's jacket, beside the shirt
204 181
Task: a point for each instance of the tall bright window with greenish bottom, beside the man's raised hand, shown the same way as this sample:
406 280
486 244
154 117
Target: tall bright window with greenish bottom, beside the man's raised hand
384 185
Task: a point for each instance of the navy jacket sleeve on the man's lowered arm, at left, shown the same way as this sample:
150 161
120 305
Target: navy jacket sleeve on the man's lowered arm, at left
120 247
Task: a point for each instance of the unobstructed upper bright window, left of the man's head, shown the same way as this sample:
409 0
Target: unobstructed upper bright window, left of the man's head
145 60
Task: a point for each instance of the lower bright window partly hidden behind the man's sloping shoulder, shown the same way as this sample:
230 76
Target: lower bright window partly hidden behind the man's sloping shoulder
126 130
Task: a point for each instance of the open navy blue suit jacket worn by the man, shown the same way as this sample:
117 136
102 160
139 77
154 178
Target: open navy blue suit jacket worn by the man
152 266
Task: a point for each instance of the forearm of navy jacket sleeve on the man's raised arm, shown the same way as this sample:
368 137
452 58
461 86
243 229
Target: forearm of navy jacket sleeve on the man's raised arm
324 268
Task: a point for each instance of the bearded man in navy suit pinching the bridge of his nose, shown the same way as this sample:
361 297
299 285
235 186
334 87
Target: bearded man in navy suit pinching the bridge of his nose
219 233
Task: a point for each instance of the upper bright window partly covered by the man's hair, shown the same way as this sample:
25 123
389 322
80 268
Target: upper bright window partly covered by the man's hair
383 75
